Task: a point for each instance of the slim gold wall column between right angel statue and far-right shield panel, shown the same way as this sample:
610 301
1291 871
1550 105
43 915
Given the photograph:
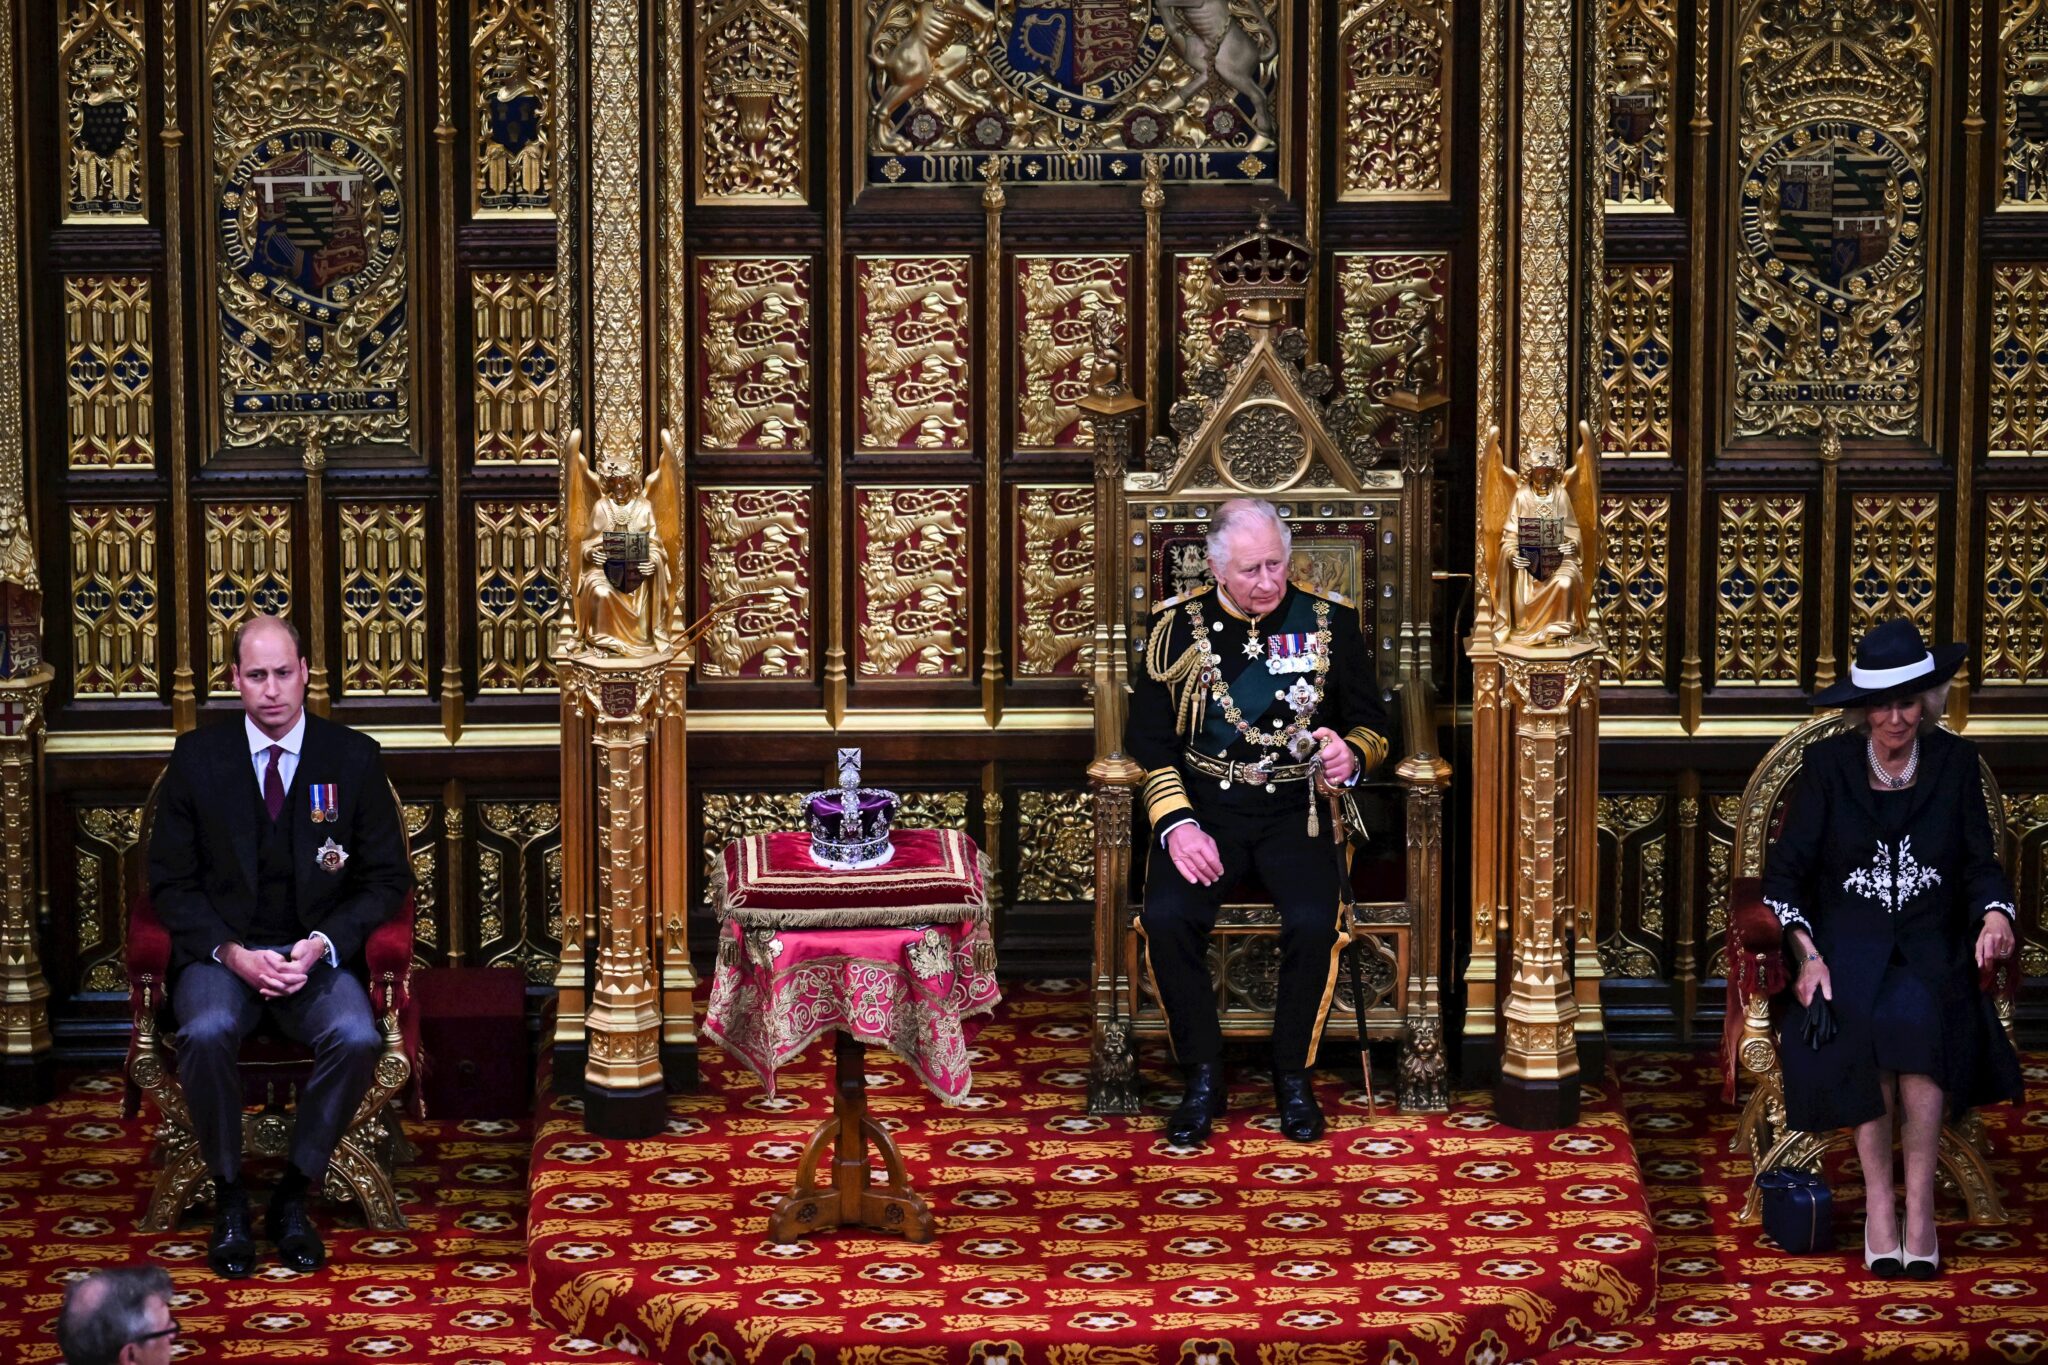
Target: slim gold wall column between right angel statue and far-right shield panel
1691 678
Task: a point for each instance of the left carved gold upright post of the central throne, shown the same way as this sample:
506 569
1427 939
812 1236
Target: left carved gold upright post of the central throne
1117 421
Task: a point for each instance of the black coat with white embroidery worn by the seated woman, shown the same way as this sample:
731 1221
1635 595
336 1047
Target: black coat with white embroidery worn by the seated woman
1867 875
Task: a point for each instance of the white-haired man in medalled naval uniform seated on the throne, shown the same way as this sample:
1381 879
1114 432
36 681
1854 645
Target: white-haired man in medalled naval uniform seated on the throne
1250 691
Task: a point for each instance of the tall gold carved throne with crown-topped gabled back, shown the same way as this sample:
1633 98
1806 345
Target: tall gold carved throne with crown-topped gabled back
1258 427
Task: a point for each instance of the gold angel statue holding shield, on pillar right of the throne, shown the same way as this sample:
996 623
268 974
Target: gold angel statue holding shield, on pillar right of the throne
1545 533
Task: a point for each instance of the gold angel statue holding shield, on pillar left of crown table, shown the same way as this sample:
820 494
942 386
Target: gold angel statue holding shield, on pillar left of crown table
626 533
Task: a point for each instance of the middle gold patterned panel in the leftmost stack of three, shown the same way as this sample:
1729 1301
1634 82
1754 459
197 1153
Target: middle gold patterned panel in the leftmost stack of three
110 365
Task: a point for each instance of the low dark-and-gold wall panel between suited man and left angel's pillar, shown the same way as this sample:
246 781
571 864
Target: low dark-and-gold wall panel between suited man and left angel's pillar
519 885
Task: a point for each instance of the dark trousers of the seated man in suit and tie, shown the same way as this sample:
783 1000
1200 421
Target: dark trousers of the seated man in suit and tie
331 1014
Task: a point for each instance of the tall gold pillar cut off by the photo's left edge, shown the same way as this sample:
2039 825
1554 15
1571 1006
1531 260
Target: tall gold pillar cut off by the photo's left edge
24 992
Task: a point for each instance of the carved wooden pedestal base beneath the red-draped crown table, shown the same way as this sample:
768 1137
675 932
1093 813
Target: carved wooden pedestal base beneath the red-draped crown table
851 1200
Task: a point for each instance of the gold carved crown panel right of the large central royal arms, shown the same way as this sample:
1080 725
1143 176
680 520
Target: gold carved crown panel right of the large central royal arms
1394 99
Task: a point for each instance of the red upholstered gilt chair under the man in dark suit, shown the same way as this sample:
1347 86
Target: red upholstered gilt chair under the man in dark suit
273 1067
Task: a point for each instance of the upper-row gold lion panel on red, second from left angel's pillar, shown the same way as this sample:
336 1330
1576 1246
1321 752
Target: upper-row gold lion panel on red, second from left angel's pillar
914 353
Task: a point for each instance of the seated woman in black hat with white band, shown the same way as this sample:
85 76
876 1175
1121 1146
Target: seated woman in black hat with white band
1889 887
